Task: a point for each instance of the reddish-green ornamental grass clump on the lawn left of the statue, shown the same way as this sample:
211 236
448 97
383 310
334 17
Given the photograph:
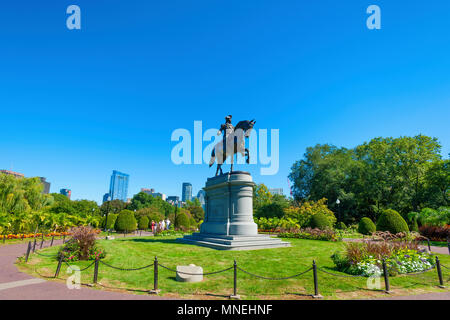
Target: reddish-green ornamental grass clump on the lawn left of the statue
82 245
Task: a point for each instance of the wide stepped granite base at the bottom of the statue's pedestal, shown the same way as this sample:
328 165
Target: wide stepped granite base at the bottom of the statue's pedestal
224 242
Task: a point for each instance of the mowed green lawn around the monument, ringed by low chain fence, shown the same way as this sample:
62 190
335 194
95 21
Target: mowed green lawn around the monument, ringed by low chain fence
140 251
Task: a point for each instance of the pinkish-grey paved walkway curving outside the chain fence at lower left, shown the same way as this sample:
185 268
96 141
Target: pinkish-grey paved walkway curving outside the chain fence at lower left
16 285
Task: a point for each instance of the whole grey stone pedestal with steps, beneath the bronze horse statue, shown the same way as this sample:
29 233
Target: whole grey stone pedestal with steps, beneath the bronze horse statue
228 223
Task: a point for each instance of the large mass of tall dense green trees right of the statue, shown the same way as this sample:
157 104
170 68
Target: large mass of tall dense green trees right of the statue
405 174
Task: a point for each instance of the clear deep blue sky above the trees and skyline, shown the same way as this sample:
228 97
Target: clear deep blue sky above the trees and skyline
76 105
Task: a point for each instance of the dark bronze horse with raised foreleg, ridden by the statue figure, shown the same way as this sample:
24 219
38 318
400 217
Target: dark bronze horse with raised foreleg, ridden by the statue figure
232 143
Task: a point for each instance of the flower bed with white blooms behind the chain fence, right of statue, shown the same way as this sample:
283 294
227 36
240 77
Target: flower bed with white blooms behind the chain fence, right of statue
366 258
